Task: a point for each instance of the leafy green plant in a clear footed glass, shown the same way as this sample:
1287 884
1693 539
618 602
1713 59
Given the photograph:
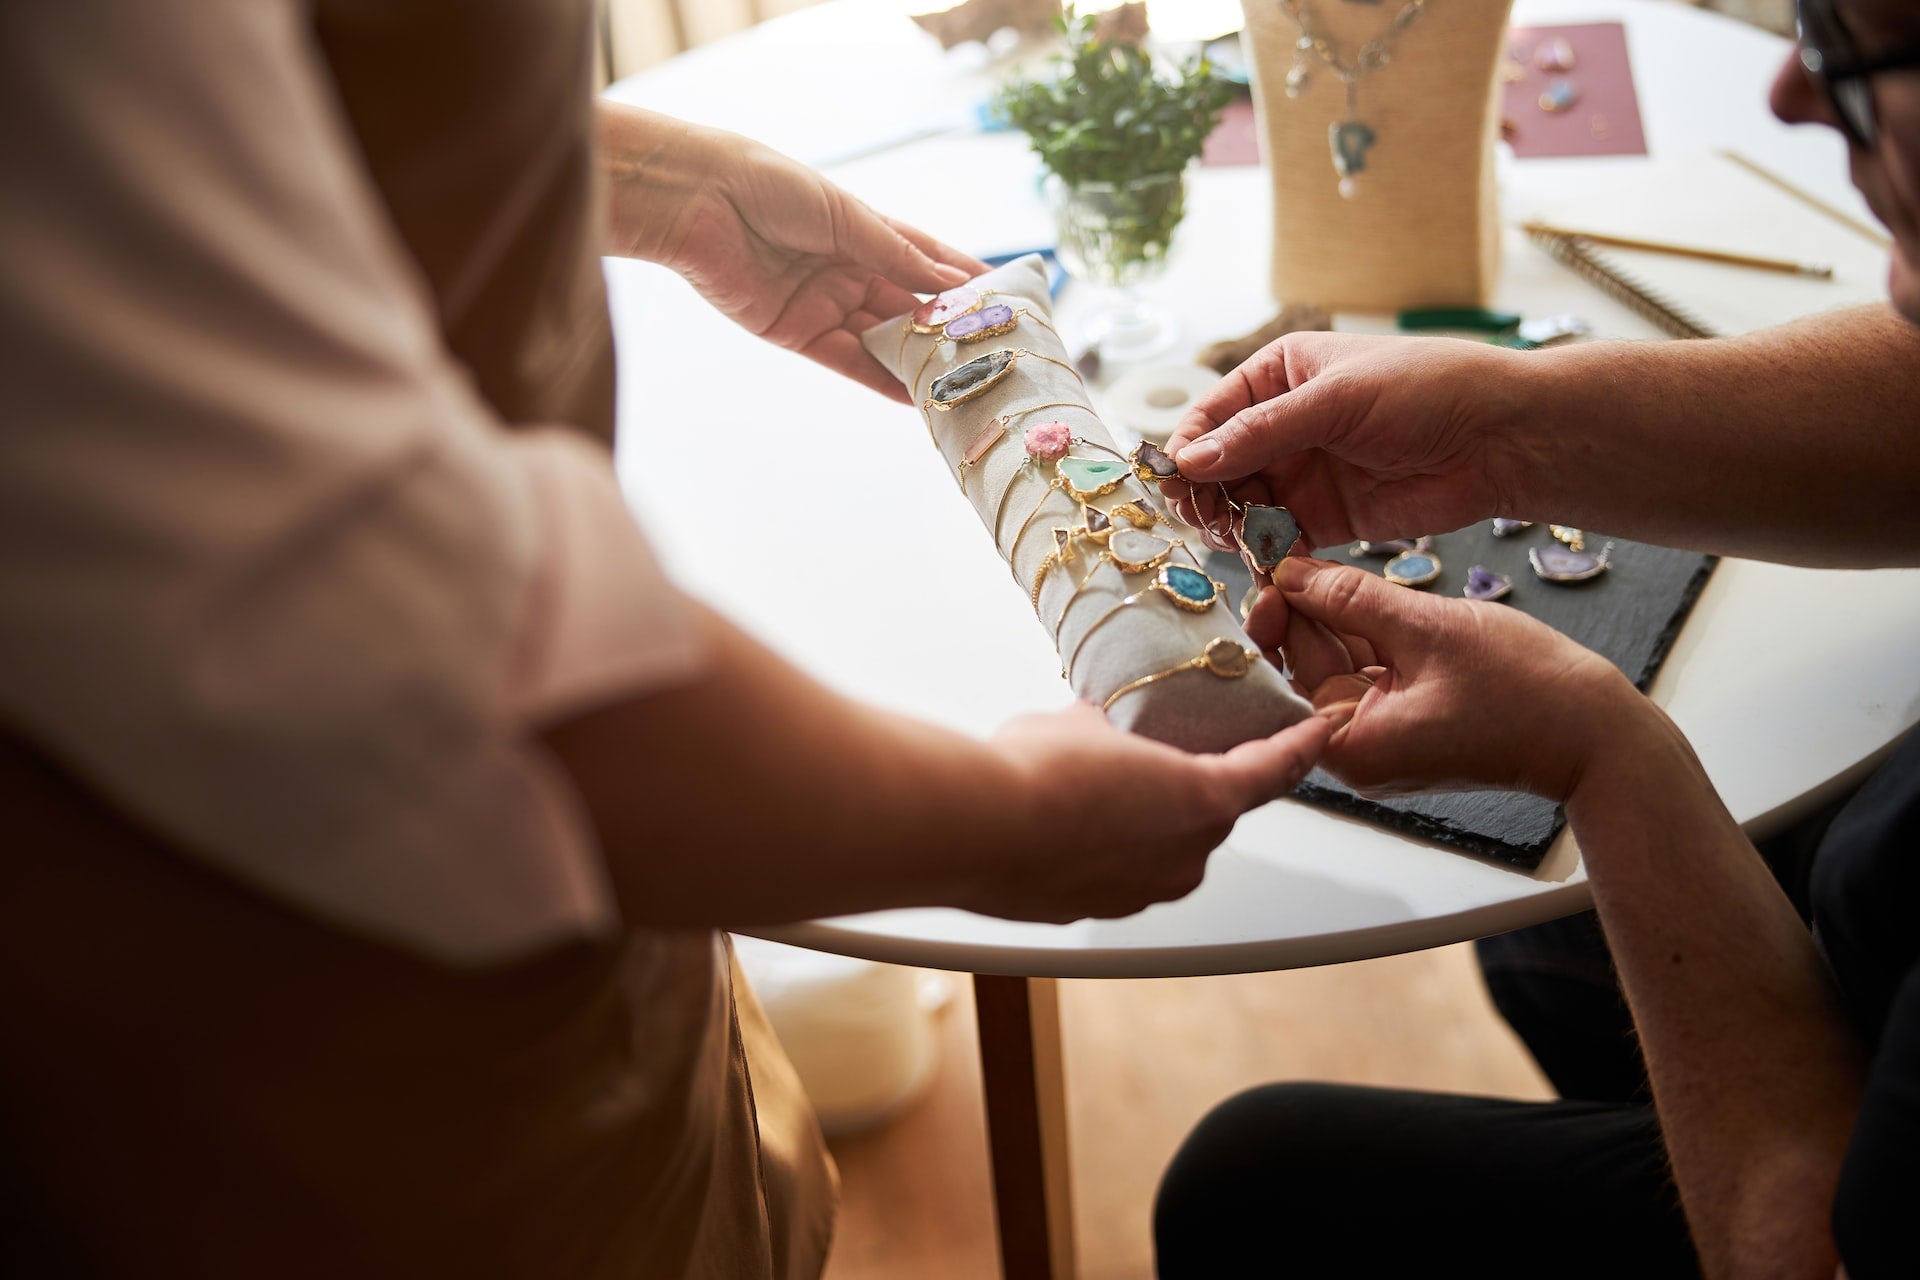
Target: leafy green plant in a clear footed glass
1116 133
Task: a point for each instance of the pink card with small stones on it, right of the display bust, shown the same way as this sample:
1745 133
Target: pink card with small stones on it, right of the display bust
1570 91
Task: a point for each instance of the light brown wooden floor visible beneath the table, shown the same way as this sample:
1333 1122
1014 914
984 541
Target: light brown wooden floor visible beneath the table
1145 1060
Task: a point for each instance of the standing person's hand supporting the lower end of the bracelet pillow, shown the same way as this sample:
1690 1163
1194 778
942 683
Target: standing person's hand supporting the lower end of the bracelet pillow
1120 822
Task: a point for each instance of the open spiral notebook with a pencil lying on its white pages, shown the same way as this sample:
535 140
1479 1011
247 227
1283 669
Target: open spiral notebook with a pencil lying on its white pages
1716 202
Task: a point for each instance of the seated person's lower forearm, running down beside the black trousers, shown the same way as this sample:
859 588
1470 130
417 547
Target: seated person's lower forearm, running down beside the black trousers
1756 1070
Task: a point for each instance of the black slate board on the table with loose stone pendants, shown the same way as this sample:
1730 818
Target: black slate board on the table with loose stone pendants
1629 615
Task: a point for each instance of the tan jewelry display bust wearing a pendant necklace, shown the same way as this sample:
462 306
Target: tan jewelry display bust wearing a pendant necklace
1378 122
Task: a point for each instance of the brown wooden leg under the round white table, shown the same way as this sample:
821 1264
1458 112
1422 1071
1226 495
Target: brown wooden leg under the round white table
1024 1079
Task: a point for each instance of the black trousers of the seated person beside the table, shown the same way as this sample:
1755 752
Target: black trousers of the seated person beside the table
1345 1181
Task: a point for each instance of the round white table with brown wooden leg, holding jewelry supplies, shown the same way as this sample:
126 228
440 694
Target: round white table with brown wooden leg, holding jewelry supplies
1293 886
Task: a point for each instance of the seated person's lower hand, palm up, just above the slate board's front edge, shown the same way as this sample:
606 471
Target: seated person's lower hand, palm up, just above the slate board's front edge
1433 694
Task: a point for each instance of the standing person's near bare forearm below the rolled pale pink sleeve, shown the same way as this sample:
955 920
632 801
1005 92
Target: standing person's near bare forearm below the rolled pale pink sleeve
756 795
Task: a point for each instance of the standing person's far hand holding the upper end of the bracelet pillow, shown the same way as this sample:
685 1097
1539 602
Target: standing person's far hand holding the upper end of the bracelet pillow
767 241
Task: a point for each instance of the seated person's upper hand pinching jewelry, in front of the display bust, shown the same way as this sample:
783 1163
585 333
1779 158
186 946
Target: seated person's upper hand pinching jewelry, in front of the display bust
1358 437
